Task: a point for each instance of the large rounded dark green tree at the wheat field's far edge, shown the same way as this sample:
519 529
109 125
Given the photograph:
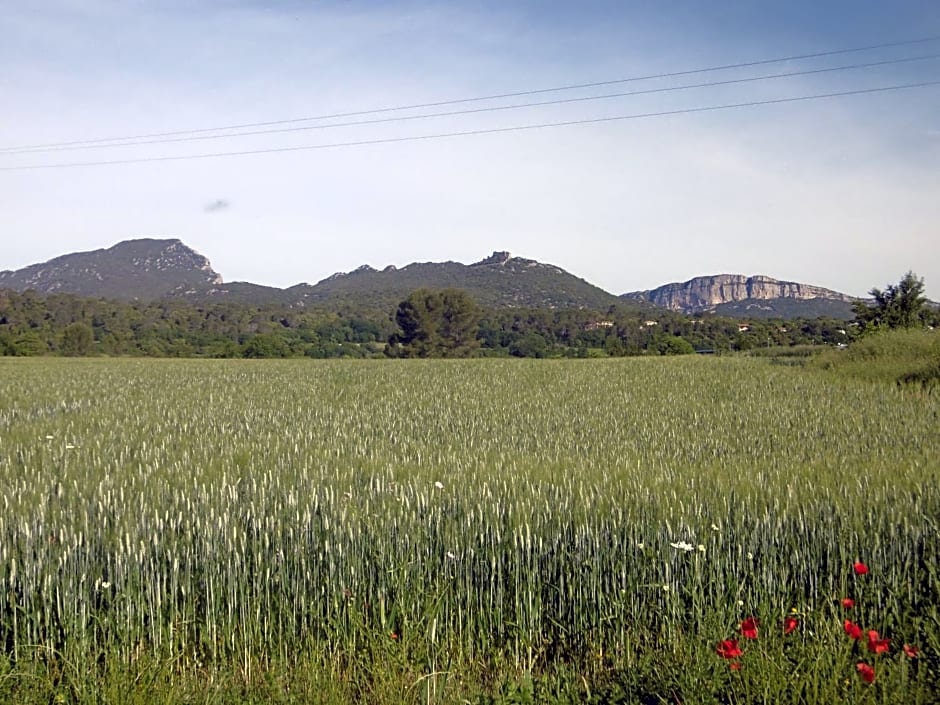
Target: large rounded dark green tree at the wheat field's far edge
436 323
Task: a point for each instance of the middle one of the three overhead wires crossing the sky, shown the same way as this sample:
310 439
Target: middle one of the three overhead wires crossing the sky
468 111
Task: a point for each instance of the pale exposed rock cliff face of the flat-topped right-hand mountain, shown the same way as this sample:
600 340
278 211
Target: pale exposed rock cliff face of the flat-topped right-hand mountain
706 293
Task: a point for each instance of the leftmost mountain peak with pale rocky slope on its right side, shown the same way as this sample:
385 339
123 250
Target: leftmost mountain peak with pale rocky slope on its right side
142 269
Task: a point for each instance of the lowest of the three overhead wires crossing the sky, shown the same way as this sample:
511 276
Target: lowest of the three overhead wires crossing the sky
467 133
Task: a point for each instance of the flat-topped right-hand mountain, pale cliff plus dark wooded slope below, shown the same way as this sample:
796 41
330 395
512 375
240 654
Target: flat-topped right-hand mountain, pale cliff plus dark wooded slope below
747 297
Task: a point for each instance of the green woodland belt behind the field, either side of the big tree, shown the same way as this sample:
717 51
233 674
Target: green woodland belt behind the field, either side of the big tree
64 324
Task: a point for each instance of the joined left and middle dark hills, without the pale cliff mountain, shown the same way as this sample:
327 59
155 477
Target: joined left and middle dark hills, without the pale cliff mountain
150 269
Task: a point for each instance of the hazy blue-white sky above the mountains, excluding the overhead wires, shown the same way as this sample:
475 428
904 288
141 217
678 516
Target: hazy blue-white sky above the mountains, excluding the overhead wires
841 192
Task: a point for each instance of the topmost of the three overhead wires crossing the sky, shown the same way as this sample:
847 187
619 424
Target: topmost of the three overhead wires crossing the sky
458 101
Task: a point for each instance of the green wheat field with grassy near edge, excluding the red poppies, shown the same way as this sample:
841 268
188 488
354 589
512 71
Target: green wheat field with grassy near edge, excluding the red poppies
480 531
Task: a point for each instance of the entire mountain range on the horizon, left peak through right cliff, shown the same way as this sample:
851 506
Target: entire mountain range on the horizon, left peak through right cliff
149 268
